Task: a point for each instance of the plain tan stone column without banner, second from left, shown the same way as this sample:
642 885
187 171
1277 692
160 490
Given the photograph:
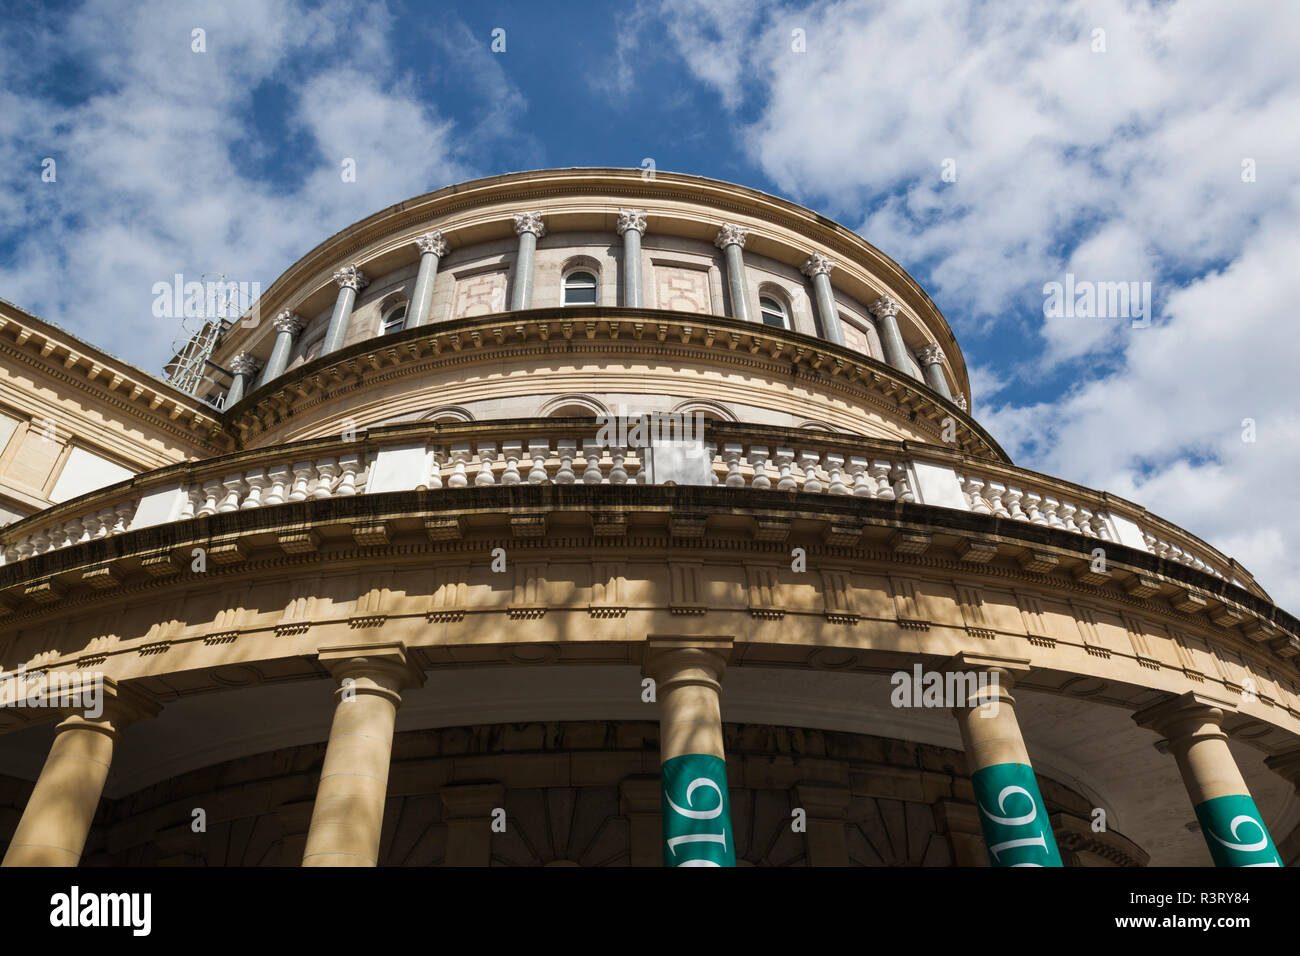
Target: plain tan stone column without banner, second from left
349 811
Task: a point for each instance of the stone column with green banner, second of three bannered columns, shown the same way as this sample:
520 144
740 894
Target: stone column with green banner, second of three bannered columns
1012 815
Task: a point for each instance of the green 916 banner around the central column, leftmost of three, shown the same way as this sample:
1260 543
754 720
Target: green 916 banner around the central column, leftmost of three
696 812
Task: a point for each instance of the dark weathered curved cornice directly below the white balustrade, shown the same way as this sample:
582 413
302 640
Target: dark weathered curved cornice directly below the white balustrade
839 529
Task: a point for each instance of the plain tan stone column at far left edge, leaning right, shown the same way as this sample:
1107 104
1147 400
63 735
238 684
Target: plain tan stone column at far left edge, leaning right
57 821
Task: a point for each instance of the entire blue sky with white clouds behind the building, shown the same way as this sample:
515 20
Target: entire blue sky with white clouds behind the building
1107 140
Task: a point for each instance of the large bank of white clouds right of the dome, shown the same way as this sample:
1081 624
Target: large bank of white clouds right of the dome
1117 166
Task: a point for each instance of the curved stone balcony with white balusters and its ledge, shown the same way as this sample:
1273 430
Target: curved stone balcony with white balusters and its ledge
921 491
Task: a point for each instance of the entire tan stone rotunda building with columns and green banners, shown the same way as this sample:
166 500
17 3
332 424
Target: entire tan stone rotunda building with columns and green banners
582 517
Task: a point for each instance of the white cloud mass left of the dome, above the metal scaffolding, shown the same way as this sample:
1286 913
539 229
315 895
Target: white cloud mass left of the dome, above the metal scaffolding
164 170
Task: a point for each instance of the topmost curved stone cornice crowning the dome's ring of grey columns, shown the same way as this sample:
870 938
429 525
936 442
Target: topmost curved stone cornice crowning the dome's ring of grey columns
400 224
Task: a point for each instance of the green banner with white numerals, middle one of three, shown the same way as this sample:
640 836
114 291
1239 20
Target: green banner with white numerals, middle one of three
1013 817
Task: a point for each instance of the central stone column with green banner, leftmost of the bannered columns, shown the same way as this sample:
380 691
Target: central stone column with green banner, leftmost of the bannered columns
696 808
